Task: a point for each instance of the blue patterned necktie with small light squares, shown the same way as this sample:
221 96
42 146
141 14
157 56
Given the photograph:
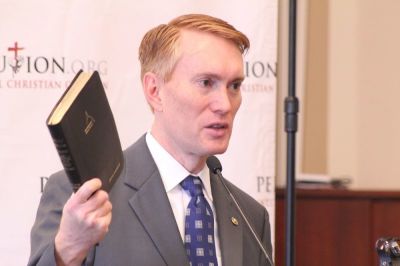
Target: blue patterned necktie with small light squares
199 226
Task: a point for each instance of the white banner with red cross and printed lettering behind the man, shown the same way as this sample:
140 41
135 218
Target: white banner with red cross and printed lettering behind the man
44 43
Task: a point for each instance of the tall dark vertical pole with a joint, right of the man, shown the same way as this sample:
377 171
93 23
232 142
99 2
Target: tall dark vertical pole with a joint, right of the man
291 110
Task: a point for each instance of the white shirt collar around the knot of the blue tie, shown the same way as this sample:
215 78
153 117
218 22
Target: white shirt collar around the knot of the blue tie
171 171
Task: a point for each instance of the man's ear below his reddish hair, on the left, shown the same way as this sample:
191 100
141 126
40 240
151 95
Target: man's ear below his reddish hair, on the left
151 88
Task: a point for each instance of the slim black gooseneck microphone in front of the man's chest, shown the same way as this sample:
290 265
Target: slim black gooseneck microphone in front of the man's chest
215 166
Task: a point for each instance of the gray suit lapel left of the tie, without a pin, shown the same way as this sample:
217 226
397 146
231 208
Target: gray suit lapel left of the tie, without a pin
151 205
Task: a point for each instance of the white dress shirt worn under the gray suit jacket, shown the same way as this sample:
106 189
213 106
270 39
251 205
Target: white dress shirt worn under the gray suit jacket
172 173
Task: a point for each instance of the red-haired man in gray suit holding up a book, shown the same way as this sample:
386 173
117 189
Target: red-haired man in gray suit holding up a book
191 71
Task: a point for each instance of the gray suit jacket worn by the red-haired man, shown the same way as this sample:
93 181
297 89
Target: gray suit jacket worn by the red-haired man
143 230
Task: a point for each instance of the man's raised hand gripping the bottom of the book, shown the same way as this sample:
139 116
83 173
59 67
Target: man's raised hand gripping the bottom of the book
84 222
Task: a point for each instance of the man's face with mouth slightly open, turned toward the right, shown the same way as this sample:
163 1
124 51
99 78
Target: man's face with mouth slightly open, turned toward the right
201 98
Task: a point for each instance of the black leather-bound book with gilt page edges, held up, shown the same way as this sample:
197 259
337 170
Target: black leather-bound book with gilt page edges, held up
85 134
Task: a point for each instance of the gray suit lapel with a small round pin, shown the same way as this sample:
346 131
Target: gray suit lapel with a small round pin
230 235
